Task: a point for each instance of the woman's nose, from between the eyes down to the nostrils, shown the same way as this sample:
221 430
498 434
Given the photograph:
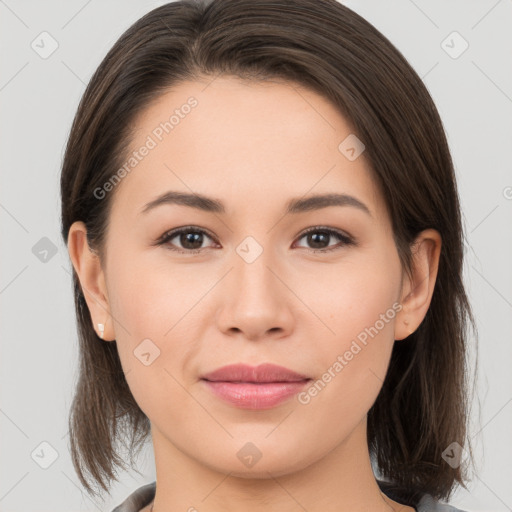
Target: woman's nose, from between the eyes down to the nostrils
255 301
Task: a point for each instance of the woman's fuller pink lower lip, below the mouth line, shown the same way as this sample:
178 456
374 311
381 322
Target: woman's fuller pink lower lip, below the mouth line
250 395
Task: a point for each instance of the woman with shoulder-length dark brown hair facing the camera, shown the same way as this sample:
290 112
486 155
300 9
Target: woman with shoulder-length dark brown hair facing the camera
262 215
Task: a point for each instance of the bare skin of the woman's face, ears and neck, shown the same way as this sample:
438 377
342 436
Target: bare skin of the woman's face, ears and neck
254 146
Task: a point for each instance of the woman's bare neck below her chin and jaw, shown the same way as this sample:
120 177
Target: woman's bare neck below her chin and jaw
341 480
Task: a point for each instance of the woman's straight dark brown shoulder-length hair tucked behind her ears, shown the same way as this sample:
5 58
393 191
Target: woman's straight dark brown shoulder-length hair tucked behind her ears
422 407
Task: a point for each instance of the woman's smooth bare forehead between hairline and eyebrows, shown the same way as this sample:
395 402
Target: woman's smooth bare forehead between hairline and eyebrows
240 140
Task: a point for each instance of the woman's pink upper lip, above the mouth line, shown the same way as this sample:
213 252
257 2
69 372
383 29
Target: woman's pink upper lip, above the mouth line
263 373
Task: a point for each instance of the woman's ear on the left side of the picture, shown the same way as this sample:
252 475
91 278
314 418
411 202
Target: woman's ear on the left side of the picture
87 265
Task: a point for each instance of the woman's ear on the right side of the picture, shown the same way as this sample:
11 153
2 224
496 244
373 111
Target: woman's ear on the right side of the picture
417 291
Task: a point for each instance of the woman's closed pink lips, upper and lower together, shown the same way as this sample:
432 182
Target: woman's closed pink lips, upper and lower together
261 387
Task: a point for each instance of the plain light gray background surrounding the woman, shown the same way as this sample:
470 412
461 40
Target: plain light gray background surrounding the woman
39 98
